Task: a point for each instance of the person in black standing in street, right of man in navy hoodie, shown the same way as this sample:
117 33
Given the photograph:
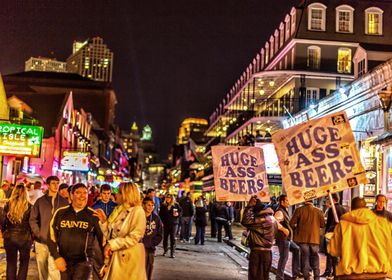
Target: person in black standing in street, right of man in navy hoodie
170 214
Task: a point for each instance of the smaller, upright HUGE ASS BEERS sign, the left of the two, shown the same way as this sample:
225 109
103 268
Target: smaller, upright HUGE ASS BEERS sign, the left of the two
239 173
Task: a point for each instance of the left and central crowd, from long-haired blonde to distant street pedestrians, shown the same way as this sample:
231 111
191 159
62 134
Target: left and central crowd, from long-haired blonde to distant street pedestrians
79 232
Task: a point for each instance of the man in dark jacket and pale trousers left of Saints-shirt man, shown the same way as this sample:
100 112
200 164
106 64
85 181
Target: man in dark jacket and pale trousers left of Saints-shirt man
40 217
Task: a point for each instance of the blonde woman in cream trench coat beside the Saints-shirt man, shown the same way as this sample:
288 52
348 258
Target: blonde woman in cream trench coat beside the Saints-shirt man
124 230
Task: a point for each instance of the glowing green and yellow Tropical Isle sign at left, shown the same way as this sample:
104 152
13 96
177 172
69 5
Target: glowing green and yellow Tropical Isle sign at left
23 140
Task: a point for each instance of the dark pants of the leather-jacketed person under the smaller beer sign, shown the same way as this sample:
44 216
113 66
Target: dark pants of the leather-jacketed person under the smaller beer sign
259 265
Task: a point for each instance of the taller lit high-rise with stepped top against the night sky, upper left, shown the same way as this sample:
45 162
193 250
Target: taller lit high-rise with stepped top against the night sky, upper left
91 59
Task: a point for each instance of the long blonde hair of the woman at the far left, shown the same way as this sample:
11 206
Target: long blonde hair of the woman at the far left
18 204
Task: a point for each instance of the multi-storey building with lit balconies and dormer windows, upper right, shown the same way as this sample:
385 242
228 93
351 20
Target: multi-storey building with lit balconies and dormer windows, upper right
319 48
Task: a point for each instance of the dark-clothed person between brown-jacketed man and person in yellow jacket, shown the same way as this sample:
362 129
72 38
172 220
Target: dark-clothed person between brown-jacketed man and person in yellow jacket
330 227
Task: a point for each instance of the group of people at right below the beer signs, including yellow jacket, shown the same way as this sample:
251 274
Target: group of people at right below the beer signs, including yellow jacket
359 242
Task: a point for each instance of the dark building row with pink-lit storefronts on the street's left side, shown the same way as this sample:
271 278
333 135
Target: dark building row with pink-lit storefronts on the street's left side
80 141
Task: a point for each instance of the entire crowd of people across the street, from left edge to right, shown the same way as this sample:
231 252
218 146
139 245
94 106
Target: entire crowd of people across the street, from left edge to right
91 233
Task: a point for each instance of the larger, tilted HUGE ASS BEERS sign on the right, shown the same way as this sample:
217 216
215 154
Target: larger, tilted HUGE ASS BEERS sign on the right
318 156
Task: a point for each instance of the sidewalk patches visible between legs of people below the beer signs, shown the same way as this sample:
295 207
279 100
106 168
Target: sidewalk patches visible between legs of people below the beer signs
237 230
